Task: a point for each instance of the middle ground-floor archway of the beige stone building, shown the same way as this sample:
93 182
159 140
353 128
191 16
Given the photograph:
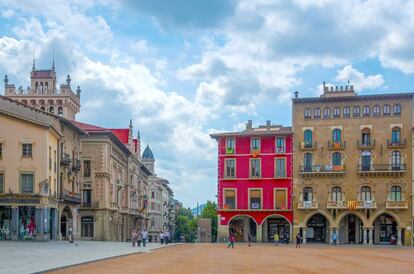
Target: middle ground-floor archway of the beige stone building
350 229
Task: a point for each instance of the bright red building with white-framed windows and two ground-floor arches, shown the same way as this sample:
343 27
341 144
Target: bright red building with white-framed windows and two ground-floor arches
255 183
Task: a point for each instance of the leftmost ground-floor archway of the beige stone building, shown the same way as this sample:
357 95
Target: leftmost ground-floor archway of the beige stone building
317 229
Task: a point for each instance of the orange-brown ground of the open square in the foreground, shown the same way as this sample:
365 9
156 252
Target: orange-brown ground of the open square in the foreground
216 258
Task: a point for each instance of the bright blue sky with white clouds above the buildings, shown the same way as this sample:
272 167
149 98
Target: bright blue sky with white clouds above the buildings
184 69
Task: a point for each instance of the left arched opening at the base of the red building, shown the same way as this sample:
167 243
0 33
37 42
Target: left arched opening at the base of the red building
241 226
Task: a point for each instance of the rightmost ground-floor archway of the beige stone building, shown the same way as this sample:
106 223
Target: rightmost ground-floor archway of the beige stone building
385 229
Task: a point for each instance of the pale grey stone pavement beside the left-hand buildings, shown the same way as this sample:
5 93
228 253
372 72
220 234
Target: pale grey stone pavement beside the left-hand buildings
31 257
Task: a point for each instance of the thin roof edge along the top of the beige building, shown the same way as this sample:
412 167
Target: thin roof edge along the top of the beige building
354 98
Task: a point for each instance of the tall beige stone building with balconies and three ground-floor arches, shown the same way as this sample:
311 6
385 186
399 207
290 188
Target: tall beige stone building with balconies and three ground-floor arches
352 168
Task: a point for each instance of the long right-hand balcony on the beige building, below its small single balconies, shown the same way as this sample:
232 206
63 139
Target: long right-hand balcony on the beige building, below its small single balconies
382 170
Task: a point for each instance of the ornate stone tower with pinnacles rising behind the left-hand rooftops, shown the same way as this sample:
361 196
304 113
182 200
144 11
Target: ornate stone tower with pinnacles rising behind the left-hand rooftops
44 94
